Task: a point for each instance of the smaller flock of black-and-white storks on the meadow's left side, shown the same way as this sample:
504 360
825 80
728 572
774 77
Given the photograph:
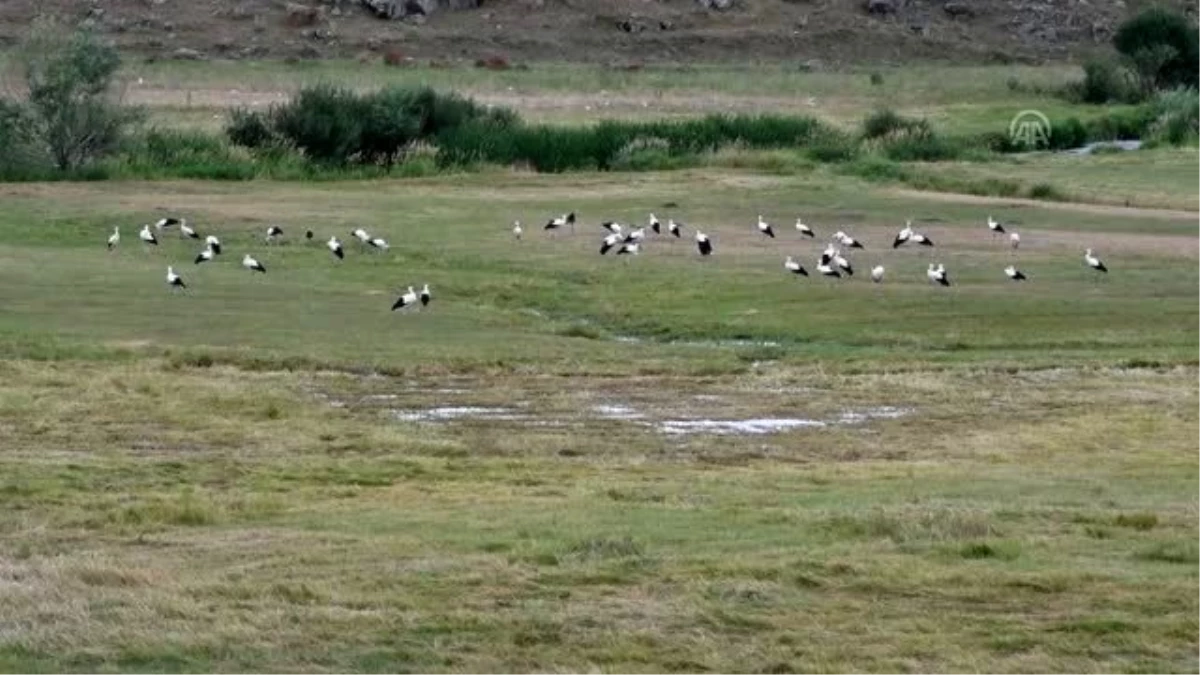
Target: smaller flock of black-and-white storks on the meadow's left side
149 238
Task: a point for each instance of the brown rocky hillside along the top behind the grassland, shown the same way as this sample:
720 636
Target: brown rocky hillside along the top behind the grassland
620 32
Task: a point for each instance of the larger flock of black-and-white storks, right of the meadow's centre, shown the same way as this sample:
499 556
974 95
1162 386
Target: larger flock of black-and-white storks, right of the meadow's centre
833 262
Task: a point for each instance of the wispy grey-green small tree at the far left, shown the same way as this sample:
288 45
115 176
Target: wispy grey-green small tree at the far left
69 77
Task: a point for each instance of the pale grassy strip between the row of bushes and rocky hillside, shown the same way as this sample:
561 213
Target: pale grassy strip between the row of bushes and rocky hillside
958 100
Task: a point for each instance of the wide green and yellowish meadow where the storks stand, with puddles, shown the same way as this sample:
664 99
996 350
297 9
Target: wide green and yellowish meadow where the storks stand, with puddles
550 469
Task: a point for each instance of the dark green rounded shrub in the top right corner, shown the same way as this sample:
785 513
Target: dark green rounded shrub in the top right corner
1162 49
